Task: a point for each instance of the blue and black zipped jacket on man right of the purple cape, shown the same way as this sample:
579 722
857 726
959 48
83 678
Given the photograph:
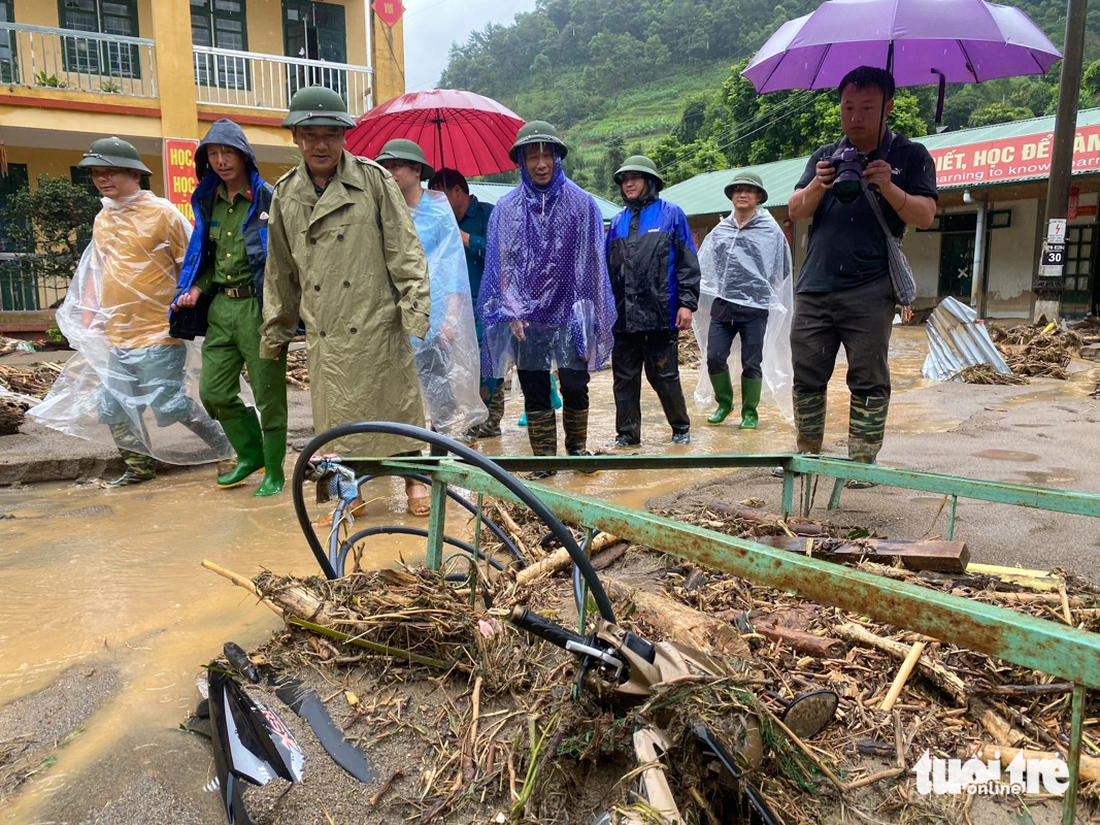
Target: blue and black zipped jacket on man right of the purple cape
653 266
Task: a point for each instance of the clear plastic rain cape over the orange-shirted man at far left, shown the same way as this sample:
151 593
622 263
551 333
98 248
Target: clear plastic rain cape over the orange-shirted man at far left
130 384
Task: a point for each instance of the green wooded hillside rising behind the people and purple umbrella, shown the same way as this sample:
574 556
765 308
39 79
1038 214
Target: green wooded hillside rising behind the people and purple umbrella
664 76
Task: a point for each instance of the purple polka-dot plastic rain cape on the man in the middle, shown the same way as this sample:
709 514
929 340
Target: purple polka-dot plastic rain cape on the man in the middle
545 267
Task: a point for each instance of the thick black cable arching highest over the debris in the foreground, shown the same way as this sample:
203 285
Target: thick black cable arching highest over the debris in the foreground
471 457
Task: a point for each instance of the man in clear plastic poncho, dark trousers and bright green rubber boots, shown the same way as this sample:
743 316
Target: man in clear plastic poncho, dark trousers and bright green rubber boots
746 294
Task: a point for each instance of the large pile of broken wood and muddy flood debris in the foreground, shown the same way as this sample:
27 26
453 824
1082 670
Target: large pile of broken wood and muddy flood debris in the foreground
503 739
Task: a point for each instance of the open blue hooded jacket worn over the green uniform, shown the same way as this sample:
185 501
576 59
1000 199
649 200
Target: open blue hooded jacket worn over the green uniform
191 323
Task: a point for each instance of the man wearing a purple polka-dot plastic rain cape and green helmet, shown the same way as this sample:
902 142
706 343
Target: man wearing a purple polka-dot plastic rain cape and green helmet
546 300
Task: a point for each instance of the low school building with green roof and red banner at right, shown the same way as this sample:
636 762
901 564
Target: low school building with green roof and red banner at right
995 178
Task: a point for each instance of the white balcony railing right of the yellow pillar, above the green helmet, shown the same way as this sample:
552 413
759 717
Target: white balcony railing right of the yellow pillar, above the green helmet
251 81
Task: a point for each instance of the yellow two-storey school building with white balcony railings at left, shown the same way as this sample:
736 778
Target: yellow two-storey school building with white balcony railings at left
153 72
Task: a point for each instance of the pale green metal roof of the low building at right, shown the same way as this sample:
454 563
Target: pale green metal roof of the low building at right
705 194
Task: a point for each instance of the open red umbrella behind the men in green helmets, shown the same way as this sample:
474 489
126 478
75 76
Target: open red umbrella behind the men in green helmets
457 129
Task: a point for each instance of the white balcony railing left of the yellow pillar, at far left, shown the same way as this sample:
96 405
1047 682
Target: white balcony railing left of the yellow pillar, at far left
63 59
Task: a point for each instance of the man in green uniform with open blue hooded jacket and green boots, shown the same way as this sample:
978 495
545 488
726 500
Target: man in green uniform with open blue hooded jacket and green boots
222 289
